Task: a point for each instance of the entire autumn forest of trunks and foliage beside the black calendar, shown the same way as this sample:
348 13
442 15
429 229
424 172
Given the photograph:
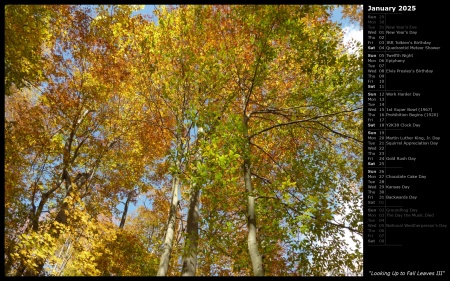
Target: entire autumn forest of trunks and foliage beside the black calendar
236 130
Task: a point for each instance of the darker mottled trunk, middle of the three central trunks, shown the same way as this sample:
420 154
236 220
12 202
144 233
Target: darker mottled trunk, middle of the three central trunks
191 242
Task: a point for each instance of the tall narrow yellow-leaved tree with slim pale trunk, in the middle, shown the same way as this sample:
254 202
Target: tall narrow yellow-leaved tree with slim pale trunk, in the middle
179 86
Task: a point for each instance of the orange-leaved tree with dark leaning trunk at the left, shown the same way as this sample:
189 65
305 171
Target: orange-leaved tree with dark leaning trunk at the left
84 121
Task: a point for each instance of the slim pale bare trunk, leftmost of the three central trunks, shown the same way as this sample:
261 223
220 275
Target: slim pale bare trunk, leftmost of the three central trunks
167 250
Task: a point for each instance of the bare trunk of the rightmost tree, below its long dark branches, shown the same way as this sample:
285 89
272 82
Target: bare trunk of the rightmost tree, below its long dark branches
255 256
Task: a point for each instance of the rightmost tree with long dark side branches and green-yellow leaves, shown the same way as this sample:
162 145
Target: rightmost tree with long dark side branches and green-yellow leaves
287 84
